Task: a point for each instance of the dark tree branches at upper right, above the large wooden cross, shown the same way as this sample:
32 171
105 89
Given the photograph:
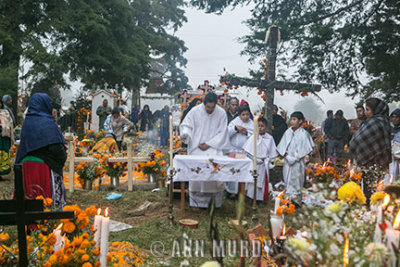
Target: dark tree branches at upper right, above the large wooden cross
342 44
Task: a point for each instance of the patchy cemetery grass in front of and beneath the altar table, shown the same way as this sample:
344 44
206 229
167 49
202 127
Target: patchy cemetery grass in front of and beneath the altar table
154 225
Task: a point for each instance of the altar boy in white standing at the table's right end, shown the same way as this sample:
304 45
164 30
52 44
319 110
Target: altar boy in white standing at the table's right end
266 152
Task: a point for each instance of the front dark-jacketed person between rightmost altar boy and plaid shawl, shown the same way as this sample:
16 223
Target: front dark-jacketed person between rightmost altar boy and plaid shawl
337 133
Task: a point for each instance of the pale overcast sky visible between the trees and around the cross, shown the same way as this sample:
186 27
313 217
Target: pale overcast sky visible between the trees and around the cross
212 46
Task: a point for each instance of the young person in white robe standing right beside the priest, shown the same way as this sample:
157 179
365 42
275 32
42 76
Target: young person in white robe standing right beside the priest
239 130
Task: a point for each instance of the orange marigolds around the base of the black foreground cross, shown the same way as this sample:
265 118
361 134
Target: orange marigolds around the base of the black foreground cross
79 246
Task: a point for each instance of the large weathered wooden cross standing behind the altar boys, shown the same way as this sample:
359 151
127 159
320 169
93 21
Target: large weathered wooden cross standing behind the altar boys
270 84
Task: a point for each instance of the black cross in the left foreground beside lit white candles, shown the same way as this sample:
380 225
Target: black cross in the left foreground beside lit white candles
22 212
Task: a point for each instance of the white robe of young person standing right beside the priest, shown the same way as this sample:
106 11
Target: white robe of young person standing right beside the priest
237 140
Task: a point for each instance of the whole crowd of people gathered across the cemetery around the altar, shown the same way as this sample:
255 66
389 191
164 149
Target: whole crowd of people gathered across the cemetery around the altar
373 141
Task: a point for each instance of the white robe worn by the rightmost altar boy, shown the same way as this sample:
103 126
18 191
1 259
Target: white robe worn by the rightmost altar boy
295 146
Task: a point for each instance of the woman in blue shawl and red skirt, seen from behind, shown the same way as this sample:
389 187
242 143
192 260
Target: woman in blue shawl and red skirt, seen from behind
42 152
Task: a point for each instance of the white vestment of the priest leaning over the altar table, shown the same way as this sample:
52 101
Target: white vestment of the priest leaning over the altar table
201 127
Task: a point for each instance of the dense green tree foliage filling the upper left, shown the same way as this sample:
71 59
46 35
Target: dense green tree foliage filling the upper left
96 42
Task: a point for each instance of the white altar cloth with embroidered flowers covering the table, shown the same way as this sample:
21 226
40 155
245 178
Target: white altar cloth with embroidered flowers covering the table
212 168
